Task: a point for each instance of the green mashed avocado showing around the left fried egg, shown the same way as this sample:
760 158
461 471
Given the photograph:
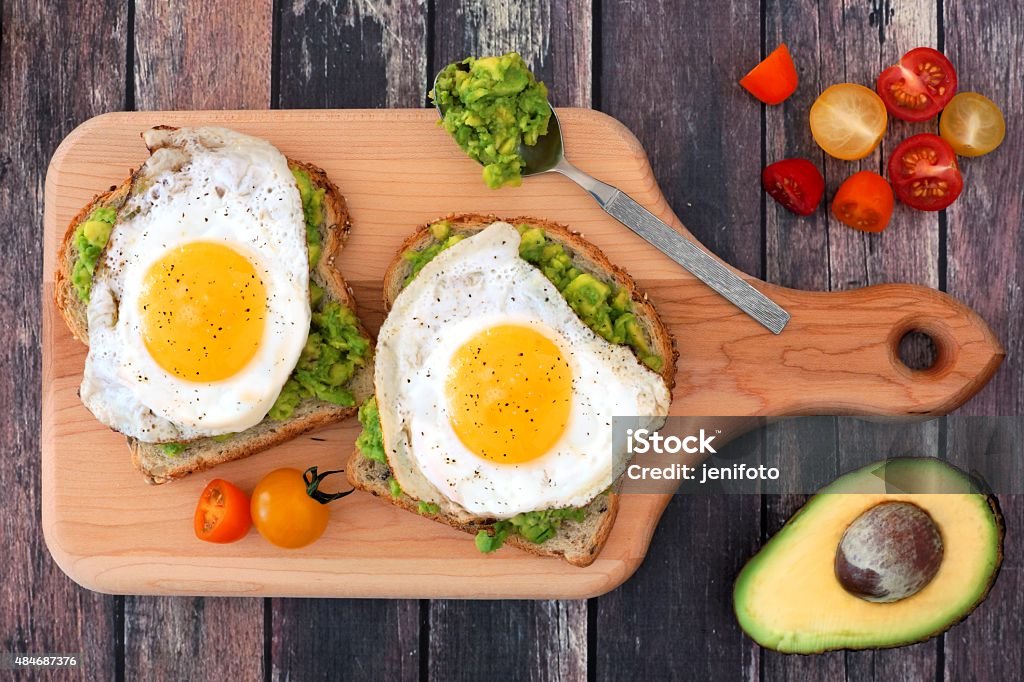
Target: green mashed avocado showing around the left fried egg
335 348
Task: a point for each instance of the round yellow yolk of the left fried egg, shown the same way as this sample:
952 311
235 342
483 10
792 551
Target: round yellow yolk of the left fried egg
203 309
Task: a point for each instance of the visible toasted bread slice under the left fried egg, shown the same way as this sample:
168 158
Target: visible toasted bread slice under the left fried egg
157 464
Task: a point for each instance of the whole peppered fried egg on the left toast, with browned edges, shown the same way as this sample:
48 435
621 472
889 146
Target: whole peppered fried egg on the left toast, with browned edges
200 304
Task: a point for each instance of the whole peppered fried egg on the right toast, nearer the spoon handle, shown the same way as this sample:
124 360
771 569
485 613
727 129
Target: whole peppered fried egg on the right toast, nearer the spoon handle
494 395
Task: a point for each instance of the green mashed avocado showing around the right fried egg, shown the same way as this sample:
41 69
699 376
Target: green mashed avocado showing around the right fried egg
606 310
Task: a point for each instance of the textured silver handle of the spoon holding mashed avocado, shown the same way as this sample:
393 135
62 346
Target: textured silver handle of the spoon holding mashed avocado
706 268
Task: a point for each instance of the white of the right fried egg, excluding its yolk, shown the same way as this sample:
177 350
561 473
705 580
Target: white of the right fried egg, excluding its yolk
480 283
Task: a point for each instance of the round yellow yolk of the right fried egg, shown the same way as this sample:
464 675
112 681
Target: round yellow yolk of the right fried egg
509 393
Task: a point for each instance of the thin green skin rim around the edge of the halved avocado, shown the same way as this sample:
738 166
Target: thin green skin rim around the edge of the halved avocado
974 485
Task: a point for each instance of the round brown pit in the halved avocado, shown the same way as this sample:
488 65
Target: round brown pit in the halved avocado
890 552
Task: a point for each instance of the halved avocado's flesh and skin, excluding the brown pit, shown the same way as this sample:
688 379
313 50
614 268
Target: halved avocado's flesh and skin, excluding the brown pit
788 598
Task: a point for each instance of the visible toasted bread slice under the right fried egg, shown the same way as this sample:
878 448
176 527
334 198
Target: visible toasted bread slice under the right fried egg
578 543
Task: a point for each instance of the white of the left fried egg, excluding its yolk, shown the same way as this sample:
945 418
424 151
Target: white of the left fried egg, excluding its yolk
210 185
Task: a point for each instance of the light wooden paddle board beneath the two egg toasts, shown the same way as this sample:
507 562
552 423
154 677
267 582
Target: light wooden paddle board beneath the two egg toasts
113 533
